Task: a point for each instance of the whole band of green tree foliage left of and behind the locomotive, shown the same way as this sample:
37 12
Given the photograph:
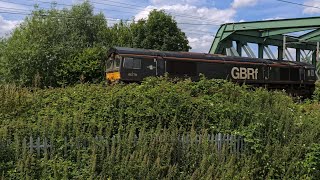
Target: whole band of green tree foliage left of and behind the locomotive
60 47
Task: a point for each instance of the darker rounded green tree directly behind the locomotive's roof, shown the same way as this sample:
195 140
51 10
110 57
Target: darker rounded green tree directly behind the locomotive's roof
159 31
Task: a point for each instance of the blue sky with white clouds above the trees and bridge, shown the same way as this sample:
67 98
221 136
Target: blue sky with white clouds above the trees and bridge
199 19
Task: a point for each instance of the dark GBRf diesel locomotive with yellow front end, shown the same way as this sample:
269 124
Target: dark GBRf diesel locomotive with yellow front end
133 65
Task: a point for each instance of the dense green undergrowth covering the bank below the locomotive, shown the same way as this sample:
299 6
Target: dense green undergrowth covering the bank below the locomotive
282 137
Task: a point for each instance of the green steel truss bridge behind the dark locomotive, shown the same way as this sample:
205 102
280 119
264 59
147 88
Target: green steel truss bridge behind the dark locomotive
286 39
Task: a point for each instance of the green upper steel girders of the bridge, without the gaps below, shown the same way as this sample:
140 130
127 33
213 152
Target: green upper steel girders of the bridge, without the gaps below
270 32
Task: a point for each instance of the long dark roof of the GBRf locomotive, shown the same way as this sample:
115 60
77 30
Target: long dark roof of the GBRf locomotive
203 56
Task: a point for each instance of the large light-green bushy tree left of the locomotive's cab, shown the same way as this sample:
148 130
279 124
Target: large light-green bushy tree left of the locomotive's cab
47 47
